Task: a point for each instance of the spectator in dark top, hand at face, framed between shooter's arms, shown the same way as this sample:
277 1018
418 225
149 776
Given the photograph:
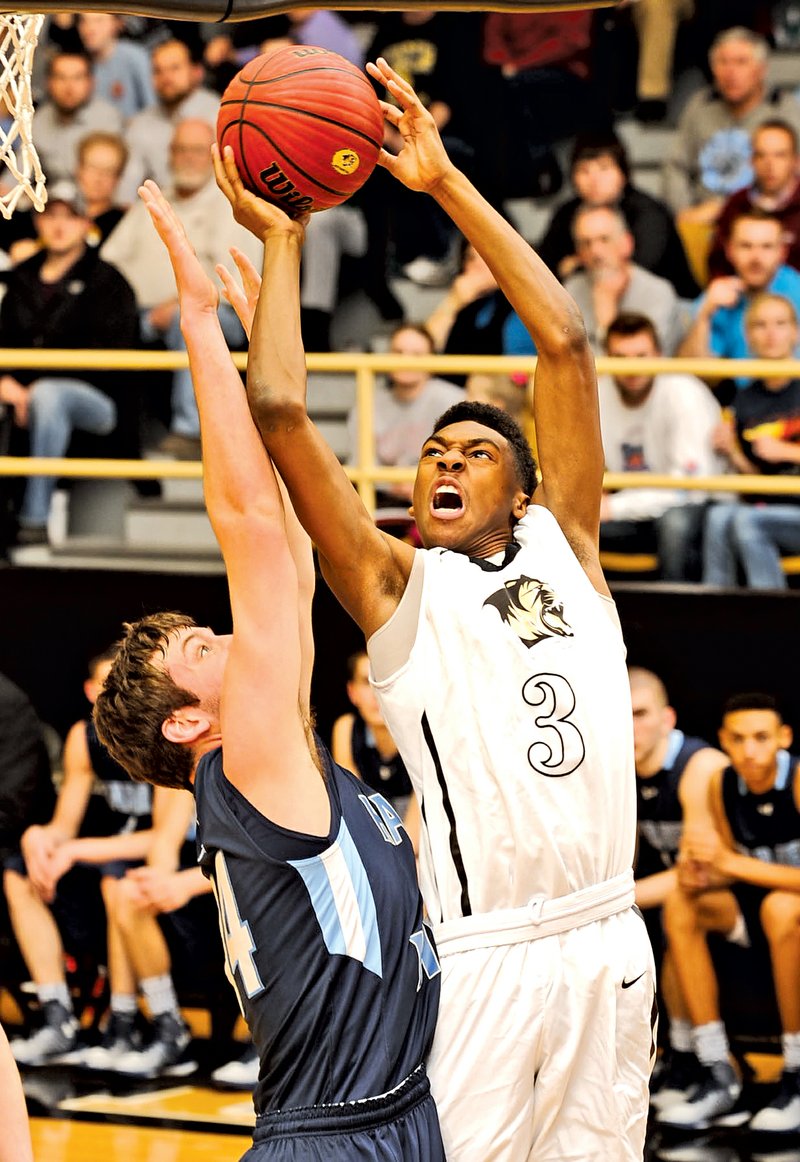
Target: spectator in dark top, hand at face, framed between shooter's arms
470 318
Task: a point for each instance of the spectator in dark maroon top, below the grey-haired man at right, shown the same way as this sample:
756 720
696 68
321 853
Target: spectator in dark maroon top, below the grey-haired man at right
775 189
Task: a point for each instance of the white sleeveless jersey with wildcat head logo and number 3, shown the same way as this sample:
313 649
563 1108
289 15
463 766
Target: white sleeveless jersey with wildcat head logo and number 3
513 716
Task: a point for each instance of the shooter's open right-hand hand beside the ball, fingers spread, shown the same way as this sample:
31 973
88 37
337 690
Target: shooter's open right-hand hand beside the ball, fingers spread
423 162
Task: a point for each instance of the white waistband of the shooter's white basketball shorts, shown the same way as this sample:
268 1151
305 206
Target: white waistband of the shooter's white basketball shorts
539 919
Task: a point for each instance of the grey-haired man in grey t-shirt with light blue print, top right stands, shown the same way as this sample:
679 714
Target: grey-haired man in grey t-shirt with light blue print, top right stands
711 154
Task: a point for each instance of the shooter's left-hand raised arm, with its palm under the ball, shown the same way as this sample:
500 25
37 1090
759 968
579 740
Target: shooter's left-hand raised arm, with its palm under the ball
367 570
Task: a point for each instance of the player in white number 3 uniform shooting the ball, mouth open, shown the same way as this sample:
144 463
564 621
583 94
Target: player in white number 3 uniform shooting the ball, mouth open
499 662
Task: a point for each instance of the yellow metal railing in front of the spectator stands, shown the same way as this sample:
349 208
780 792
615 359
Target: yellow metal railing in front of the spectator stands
365 472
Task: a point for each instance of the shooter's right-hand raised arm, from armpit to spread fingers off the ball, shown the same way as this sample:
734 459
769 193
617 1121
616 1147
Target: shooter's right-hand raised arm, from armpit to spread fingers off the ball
566 397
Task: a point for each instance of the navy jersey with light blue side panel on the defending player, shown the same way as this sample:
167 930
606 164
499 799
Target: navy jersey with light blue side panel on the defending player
337 973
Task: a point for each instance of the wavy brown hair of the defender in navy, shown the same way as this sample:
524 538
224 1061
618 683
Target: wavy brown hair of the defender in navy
139 697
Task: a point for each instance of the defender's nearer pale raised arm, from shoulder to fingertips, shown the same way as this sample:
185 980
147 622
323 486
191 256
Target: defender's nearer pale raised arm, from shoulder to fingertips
266 745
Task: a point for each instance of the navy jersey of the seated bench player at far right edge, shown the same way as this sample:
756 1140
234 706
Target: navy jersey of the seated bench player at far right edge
766 827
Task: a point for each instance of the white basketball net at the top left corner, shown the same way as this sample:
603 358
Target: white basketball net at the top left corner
19 37
